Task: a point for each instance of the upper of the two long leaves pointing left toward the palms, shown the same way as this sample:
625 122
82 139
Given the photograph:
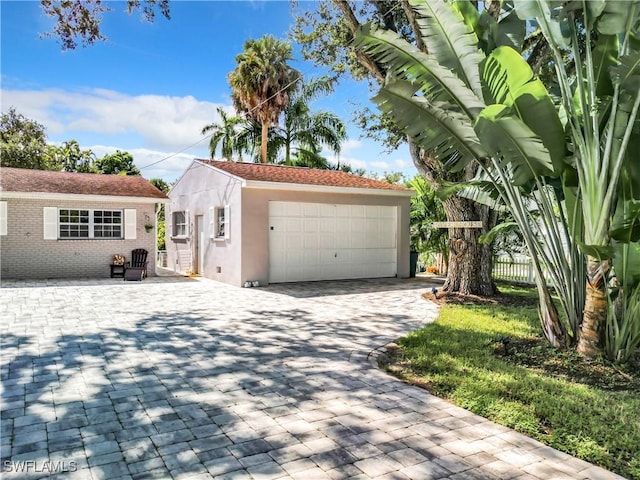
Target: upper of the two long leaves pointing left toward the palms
437 84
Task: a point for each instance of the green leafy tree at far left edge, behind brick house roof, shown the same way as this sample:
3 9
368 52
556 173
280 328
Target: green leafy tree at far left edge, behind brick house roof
23 142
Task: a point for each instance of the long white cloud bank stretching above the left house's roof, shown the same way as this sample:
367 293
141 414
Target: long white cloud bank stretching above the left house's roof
159 122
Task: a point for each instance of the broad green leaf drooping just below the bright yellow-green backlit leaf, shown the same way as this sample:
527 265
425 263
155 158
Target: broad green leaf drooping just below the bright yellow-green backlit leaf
505 135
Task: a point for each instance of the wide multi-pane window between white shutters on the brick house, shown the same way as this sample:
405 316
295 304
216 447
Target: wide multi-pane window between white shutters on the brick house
80 223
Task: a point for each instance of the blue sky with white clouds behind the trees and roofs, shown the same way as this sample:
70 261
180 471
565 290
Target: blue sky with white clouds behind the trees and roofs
151 87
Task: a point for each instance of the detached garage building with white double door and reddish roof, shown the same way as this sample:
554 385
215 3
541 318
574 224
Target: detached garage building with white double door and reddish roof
238 222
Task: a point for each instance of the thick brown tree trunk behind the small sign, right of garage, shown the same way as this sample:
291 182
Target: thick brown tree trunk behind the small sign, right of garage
470 262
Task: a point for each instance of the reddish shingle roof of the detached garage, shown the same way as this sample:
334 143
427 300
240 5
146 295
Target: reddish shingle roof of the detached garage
299 175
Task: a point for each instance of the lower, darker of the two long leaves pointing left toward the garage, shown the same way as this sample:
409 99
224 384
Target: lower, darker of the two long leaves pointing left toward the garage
447 136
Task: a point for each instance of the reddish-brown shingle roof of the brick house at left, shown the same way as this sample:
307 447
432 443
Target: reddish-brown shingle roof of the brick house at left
42 181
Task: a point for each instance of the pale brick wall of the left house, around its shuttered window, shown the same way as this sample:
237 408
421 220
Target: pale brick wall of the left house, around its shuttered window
25 254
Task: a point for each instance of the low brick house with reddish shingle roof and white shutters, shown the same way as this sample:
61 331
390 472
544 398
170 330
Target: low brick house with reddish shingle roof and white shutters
62 225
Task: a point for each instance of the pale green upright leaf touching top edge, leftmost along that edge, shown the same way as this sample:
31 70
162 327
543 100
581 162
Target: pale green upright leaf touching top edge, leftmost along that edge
450 40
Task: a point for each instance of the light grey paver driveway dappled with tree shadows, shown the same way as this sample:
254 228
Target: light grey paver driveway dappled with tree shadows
181 378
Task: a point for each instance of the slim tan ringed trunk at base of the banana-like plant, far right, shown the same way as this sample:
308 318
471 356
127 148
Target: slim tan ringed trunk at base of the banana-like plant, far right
595 308
